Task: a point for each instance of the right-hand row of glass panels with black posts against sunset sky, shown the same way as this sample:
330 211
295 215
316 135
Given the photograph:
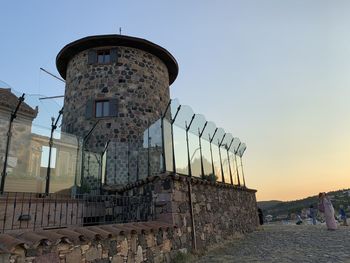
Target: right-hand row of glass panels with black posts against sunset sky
199 148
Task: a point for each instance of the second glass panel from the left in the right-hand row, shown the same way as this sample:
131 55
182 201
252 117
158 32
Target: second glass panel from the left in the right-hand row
181 160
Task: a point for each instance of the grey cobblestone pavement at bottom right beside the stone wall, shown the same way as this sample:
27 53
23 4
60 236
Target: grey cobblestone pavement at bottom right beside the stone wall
286 243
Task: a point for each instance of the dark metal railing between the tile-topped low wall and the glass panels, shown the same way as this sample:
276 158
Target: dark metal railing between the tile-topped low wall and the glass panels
32 211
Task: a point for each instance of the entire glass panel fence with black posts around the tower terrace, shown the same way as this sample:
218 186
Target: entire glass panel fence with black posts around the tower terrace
41 158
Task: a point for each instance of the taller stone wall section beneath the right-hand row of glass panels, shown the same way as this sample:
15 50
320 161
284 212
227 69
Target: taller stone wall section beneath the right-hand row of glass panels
219 210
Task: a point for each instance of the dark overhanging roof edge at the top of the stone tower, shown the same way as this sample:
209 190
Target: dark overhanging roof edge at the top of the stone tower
75 47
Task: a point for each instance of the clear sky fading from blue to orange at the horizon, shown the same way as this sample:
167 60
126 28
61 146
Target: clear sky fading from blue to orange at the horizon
273 73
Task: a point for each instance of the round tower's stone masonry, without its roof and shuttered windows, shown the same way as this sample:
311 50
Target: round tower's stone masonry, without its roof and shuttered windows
139 82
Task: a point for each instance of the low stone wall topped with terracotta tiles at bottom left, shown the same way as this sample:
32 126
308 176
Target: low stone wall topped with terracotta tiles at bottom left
138 242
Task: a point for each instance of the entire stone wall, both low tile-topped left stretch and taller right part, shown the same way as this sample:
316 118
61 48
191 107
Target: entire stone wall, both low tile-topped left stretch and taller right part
216 212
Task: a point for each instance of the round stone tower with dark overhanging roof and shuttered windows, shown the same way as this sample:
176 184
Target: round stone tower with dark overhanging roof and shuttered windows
120 81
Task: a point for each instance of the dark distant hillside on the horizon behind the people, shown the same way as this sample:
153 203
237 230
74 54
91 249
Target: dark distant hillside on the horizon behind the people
284 210
